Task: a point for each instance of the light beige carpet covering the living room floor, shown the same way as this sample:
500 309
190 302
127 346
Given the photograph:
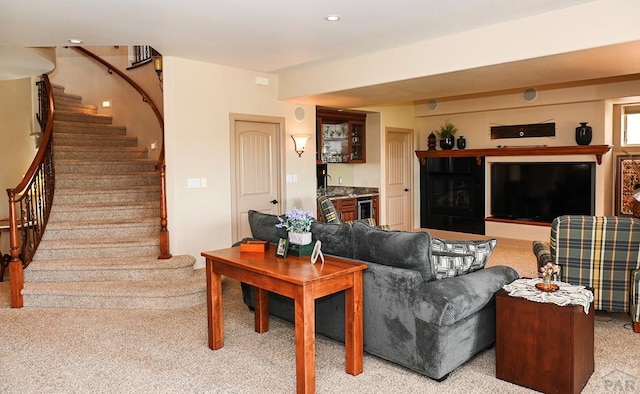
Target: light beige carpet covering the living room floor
129 351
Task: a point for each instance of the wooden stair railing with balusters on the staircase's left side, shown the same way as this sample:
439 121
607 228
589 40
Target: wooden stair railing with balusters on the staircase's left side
30 201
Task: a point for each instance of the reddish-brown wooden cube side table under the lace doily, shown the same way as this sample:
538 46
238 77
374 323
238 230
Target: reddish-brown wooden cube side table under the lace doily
543 346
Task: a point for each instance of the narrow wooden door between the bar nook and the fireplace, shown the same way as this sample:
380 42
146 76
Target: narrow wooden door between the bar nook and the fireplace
399 178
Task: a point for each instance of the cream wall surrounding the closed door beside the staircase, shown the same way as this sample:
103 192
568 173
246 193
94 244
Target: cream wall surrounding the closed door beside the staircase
198 100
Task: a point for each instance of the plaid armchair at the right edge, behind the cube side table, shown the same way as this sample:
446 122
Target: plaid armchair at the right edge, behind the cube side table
599 252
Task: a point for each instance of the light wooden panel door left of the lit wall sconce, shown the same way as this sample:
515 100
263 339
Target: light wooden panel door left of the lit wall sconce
256 170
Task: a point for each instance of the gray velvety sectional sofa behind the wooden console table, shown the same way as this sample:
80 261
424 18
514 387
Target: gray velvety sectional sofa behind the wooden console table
411 318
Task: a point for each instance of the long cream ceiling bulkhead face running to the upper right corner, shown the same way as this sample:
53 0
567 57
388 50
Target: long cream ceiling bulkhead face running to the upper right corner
584 26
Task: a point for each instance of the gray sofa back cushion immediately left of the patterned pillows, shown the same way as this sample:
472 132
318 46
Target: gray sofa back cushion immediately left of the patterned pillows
393 248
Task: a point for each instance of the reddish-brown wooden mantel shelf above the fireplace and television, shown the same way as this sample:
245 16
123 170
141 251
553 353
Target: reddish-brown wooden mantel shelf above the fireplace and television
597 150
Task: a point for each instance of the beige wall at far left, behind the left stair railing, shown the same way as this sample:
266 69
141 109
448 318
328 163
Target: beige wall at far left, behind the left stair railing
17 120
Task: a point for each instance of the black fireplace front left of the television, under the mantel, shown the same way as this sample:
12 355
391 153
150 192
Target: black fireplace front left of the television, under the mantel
452 194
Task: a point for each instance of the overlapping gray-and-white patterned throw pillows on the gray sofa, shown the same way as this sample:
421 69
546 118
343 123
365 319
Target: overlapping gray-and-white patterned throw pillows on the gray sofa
452 257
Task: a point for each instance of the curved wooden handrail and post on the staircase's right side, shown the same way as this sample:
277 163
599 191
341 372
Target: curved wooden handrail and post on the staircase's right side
160 165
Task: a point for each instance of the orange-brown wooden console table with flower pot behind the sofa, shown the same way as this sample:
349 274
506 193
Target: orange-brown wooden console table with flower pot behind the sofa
297 278
